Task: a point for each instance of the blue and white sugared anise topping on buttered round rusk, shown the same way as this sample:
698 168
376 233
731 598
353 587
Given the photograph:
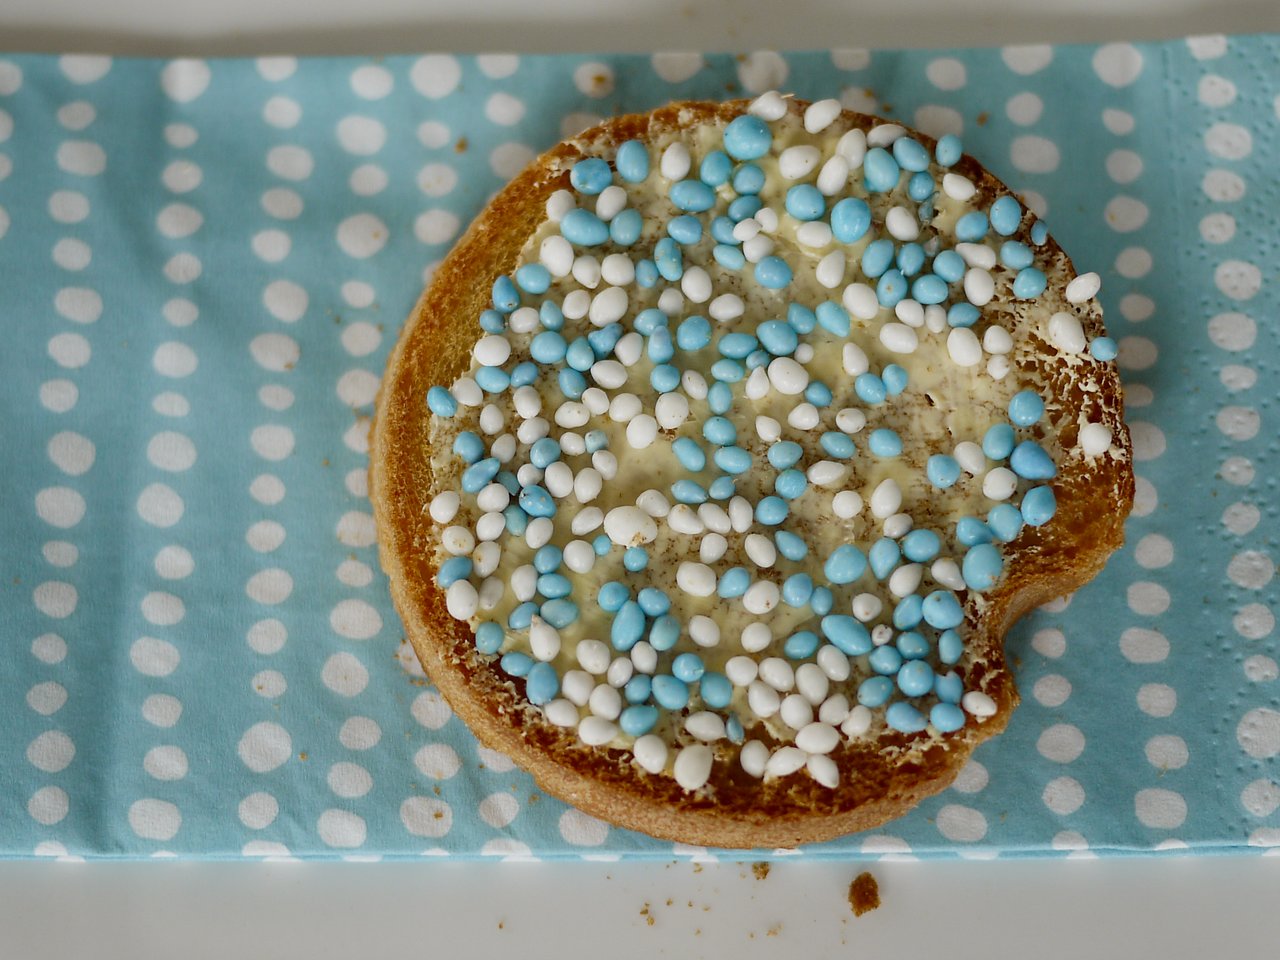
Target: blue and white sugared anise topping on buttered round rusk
744 440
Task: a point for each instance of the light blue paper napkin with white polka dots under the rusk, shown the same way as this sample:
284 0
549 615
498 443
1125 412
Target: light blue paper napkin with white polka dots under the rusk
204 266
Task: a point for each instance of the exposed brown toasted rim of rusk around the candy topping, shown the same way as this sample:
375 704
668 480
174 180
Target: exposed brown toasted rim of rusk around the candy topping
884 775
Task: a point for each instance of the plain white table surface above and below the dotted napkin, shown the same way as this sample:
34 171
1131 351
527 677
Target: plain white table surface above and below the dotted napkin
1146 908
